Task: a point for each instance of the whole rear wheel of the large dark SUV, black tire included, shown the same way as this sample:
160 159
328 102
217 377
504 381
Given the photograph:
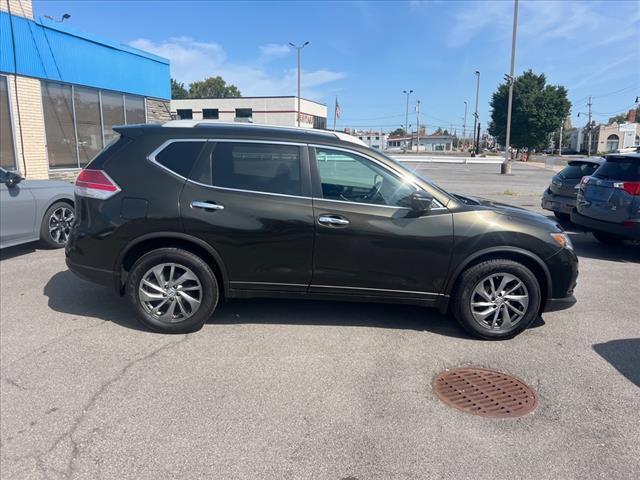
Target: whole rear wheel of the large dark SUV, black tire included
171 308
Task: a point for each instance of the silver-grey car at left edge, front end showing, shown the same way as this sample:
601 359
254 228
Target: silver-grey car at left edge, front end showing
34 210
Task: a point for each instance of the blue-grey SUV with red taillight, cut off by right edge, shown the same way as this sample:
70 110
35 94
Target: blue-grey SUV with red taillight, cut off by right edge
609 200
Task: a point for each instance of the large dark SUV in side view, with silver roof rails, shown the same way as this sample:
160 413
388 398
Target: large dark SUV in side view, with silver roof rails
181 215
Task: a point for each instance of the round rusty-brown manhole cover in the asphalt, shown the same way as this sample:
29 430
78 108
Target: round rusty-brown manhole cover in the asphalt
485 392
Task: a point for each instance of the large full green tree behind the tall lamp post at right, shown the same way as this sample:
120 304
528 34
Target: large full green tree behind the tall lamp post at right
538 110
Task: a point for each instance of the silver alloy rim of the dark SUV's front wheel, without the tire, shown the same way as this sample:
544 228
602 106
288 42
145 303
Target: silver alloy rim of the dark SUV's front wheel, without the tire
499 301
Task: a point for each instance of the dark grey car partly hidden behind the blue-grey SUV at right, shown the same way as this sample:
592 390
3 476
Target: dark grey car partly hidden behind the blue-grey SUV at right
560 197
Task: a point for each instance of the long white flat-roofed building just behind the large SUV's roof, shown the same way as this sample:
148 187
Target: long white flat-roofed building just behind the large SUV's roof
269 110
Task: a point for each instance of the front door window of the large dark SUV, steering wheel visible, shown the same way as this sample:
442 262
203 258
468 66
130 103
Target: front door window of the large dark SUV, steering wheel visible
349 177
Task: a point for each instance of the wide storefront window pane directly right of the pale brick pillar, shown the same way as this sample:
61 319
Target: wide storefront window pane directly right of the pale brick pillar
58 117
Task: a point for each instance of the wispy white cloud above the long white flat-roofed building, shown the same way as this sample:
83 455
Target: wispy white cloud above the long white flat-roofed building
192 60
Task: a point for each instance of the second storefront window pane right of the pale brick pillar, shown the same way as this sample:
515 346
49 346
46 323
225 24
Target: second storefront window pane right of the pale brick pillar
87 103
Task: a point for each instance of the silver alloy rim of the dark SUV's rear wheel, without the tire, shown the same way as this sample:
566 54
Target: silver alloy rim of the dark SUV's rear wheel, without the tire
171 292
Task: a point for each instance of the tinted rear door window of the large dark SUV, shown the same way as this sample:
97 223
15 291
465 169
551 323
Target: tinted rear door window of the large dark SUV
252 166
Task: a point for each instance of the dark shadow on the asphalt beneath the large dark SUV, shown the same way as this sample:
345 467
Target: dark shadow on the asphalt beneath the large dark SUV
69 294
